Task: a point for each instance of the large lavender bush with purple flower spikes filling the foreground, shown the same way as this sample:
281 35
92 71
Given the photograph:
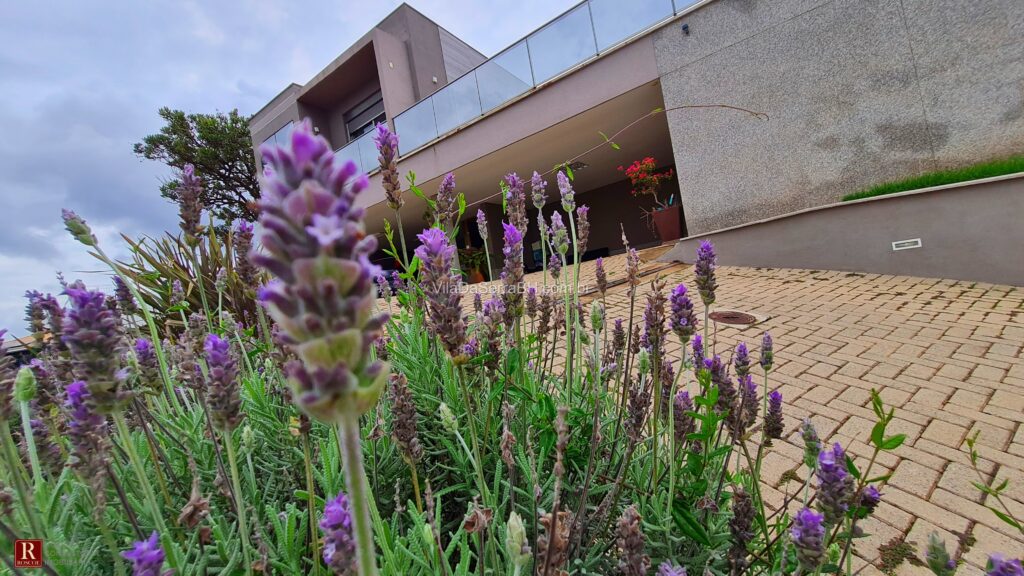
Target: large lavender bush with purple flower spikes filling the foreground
535 436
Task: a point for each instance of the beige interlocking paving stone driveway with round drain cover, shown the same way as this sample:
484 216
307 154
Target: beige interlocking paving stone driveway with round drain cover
948 355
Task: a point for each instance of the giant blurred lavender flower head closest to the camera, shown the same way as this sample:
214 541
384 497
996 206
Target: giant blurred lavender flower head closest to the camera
315 242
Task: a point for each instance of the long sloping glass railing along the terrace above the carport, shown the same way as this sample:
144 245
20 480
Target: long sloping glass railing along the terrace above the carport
579 35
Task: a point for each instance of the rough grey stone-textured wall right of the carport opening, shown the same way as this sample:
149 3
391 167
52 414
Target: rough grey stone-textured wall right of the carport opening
858 92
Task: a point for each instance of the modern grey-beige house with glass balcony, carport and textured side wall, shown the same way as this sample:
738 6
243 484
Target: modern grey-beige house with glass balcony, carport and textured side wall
849 94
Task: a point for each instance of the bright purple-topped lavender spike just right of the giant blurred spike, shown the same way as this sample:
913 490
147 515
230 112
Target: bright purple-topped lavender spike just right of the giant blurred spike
441 287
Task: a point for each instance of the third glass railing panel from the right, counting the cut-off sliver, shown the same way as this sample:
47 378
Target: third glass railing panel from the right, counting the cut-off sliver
563 45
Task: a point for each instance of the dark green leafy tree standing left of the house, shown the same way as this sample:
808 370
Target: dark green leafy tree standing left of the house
221 149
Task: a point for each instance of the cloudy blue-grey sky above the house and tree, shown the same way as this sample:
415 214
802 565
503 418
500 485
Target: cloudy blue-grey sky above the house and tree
80 83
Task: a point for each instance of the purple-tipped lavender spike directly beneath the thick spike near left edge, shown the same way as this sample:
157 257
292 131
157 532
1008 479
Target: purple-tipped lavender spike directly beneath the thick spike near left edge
88 435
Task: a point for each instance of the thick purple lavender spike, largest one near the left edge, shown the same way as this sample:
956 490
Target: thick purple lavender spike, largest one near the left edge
94 338
